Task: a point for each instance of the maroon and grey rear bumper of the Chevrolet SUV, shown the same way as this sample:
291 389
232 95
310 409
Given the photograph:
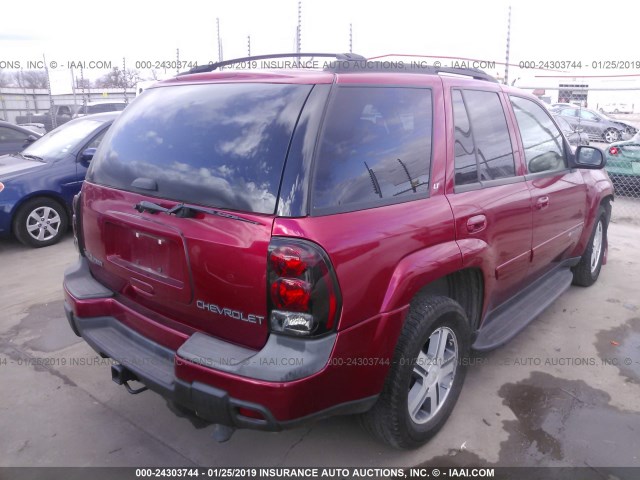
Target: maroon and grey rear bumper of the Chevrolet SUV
288 382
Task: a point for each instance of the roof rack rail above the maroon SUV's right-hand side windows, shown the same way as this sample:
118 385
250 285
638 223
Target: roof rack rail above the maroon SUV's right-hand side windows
391 66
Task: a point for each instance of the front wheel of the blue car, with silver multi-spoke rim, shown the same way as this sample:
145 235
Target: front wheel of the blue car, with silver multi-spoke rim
40 222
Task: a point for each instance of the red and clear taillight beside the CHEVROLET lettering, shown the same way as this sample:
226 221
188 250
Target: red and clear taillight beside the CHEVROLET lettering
304 298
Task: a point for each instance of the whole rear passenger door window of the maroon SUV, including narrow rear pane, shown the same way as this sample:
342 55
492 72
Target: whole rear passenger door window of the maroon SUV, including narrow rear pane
489 137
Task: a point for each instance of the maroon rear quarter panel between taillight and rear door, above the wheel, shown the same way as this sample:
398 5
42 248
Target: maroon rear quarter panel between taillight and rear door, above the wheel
382 256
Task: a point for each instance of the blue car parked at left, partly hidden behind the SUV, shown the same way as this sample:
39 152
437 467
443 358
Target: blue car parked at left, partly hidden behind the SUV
37 185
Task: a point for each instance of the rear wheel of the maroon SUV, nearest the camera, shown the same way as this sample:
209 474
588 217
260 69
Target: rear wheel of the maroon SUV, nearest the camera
430 319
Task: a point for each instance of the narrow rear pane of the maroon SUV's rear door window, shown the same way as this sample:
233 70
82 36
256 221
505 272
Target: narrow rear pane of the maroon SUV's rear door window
465 154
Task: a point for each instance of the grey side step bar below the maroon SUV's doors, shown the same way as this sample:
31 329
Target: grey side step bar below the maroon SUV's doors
509 319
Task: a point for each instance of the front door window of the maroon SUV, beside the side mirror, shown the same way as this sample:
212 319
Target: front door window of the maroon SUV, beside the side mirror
543 143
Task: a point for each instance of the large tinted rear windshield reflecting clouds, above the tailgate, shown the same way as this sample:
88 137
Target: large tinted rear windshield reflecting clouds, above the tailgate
221 145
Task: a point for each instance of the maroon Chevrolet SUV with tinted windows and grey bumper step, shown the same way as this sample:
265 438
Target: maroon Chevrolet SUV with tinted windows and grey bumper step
265 248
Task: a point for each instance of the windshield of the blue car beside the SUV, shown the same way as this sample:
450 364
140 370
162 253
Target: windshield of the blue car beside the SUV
63 140
